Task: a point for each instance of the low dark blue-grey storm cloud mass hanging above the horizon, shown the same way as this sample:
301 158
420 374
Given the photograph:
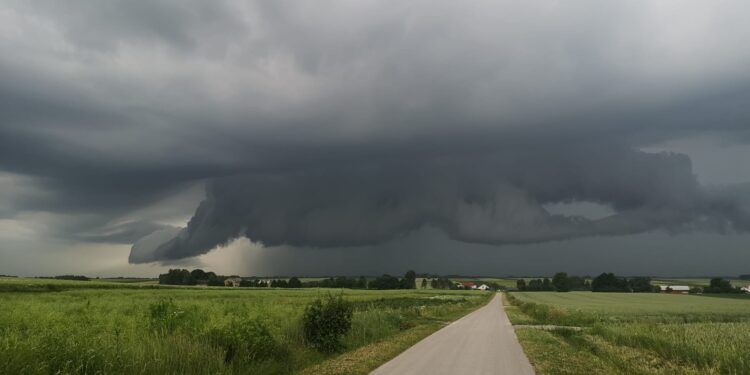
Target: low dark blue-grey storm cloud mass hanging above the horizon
494 199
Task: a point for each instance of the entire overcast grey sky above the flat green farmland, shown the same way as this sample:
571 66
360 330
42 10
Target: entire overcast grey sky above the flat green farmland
340 137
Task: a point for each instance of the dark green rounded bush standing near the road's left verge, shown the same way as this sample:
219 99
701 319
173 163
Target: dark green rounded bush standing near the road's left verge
325 323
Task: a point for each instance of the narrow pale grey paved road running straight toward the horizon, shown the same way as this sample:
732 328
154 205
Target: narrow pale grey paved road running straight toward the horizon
480 343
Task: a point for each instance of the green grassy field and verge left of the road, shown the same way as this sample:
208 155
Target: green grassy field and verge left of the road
57 326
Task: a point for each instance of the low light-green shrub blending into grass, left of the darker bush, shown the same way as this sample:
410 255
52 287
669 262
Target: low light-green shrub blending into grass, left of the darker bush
247 339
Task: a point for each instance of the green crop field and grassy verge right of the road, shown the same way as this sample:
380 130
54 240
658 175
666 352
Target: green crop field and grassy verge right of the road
633 333
